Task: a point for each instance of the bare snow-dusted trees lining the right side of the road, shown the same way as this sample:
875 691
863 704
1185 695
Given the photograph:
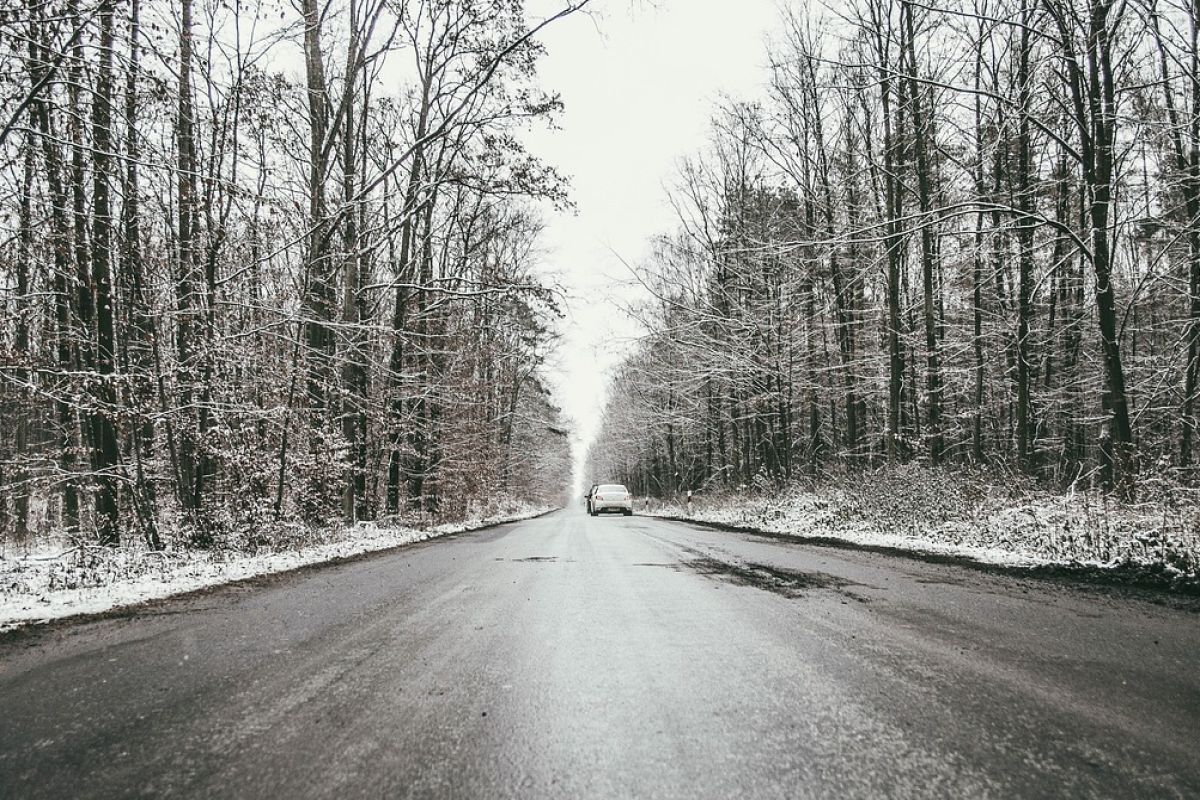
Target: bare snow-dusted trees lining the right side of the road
950 234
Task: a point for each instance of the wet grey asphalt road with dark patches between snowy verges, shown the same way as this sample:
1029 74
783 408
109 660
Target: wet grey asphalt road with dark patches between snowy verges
614 658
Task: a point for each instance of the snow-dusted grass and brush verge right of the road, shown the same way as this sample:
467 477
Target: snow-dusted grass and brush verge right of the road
944 513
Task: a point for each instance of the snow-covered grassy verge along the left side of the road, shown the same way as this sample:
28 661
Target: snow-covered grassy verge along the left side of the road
55 582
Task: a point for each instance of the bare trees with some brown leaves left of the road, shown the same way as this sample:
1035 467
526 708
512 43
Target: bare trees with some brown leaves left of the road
266 262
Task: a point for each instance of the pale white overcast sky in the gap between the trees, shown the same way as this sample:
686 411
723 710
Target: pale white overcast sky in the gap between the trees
639 82
